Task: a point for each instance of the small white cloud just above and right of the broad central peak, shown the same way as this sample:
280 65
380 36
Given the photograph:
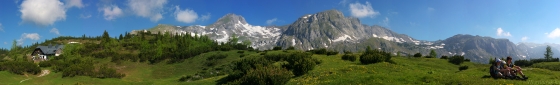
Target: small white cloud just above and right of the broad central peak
362 10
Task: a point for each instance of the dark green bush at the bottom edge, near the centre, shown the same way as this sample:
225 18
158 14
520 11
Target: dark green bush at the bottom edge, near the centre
269 75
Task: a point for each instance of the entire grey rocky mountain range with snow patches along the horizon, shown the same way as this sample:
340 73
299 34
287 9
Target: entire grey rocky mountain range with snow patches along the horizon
332 30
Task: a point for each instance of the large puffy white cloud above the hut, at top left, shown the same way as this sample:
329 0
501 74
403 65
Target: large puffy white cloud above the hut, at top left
42 12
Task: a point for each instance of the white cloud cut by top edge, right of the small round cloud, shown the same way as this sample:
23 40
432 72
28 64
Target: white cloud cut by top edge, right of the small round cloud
147 8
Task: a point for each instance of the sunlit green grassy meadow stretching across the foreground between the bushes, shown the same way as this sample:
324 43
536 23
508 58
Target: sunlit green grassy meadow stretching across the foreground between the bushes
332 70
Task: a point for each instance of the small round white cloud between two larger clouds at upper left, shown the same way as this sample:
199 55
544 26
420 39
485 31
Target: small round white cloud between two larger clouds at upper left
111 12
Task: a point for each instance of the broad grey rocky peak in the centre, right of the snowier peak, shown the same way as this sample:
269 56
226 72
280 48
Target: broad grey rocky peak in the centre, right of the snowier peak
323 29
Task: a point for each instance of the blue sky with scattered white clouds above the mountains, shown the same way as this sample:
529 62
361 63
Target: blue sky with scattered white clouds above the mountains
30 21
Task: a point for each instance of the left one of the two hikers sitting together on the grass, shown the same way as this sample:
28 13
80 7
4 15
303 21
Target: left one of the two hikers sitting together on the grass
498 70
